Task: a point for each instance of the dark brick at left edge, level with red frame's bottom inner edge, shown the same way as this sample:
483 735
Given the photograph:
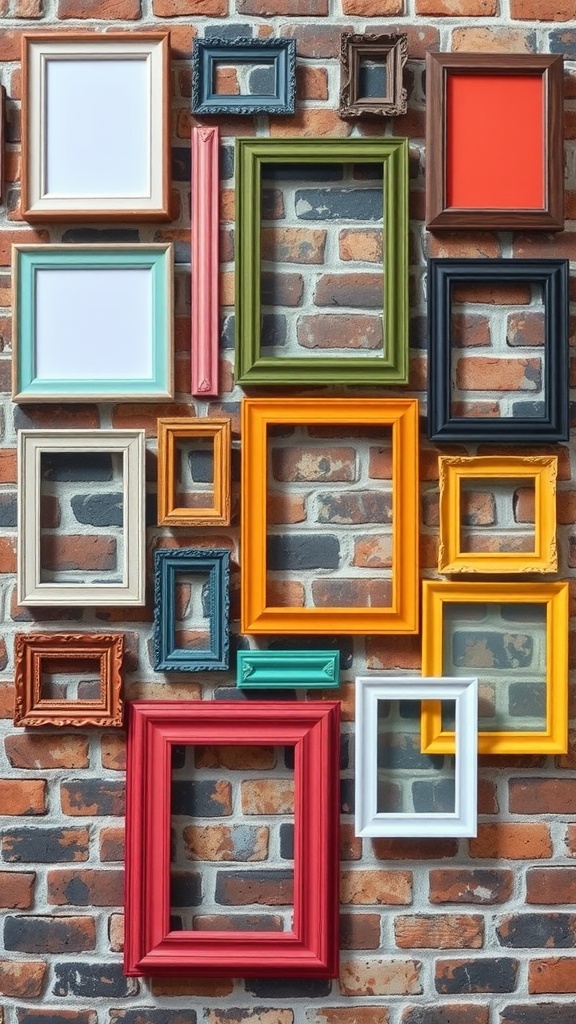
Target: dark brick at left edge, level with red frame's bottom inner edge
50 935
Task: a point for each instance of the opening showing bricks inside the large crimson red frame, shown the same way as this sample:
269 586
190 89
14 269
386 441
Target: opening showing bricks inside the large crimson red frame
232 823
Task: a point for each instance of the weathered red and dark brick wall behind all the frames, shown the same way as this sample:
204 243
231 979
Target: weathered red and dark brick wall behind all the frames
434 932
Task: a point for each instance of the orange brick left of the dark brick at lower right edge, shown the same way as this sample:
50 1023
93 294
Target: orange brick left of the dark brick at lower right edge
439 931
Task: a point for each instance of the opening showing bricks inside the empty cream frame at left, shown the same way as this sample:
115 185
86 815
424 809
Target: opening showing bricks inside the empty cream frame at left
83 518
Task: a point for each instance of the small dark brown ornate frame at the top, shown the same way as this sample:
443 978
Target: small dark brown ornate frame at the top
392 51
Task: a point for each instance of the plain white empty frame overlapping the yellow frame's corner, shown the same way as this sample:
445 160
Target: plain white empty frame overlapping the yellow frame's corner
374 696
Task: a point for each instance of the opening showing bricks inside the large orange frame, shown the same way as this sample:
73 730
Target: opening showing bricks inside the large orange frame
330 541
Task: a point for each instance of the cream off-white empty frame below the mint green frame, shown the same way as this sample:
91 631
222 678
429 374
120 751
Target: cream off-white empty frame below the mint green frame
126 519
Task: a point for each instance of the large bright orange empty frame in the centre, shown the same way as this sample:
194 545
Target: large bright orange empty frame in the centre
402 416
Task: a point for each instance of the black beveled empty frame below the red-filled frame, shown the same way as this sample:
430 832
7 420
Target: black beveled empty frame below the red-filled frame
554 276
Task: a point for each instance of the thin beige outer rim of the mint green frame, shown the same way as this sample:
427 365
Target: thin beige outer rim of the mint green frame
22 397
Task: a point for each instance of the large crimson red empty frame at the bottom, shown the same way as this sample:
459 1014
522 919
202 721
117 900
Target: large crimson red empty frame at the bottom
311 951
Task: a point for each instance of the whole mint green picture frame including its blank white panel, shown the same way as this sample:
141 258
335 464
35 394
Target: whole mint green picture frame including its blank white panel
103 313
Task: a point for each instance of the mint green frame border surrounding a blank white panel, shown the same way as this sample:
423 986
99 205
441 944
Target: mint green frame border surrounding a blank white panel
29 261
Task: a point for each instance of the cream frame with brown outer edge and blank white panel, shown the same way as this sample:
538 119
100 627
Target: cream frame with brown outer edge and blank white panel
96 124
